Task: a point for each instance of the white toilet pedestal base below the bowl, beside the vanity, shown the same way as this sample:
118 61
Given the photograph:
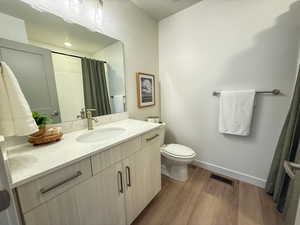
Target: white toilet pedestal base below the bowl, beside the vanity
176 171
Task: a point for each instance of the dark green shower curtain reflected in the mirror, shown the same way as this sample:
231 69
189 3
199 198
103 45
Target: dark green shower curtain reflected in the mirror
95 87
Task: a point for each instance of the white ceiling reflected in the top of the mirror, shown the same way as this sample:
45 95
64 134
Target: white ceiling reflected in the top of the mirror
49 29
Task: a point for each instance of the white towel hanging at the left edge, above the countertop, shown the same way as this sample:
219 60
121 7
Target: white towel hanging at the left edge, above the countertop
15 114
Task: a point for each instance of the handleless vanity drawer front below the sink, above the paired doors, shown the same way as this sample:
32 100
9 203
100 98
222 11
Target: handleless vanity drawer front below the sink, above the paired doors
111 156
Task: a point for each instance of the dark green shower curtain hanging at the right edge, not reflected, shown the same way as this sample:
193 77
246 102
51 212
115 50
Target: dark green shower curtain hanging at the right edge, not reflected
285 191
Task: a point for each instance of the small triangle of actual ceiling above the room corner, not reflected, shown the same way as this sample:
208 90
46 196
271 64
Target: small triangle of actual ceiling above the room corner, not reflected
160 9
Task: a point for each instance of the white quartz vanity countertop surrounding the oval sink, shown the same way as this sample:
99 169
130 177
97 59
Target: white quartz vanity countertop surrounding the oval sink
27 162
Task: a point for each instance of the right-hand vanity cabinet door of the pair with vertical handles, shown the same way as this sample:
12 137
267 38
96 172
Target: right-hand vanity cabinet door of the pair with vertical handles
134 169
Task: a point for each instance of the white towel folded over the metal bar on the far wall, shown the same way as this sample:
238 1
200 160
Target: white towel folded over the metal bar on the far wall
236 109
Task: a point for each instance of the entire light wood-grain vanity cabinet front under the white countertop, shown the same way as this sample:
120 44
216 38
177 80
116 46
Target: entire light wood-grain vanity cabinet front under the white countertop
109 188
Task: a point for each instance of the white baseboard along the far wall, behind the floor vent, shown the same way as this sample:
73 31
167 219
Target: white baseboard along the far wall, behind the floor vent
231 173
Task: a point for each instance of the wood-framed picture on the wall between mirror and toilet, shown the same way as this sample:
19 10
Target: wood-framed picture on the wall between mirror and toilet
145 89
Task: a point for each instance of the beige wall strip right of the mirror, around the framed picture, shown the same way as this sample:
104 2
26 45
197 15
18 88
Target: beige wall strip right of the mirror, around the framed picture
139 33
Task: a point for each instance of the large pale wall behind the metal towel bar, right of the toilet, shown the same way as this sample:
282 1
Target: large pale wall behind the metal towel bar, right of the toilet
228 45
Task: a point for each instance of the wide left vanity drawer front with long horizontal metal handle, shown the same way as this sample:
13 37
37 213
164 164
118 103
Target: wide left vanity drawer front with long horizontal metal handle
45 188
